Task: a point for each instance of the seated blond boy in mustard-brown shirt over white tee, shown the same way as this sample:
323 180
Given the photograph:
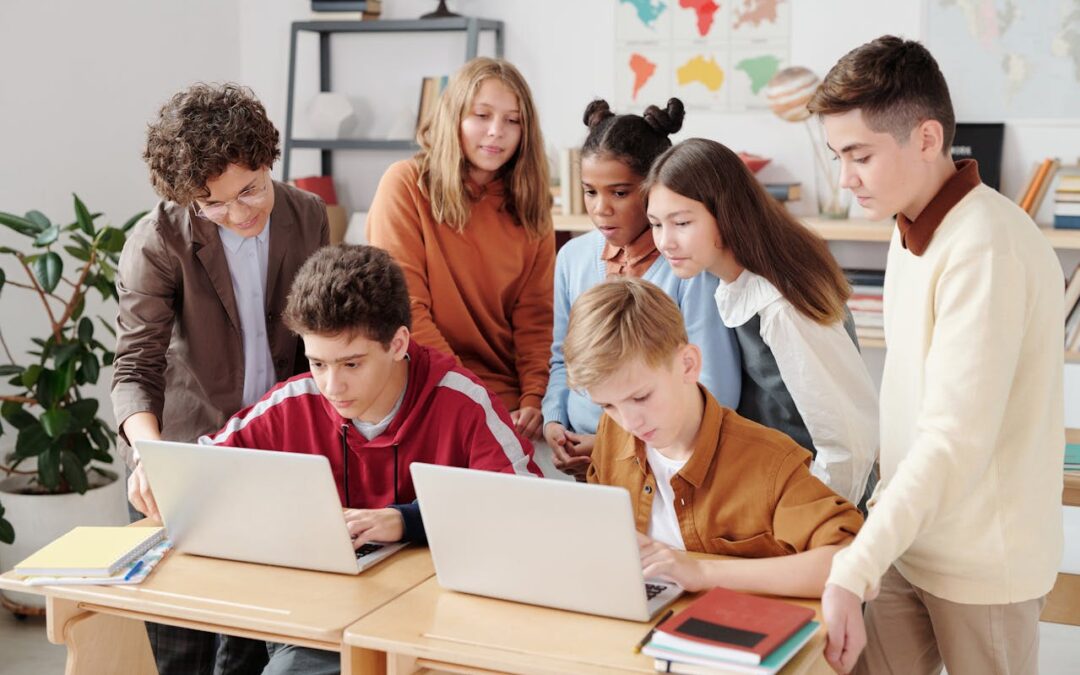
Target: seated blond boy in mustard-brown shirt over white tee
701 478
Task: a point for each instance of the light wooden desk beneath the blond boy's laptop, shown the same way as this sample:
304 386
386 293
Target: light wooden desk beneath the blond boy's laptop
431 628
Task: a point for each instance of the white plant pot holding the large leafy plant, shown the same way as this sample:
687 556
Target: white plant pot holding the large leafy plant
40 519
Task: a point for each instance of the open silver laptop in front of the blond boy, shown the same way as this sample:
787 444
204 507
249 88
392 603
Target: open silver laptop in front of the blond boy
533 541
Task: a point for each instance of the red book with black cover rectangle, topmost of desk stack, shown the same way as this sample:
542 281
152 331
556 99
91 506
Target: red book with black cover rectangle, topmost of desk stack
732 626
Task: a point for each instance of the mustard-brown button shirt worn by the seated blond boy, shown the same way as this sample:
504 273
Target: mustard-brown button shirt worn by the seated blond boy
747 490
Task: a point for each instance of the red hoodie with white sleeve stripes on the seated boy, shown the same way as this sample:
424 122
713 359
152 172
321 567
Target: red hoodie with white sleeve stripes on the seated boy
448 417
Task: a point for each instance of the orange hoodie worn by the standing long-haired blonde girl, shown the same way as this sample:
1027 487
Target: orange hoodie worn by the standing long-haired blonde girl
483 295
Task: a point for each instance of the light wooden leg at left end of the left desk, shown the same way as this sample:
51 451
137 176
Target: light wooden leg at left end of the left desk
99 644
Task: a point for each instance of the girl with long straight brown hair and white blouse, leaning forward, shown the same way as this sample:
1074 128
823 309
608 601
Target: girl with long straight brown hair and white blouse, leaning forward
785 296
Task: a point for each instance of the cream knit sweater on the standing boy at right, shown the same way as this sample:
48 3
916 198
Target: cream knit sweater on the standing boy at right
973 434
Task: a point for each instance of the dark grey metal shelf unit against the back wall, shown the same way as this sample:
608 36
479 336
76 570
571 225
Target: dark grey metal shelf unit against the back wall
471 26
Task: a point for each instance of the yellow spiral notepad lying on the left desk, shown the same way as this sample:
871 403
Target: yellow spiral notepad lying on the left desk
91 551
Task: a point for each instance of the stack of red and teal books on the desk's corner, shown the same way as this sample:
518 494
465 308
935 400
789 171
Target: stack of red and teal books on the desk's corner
725 630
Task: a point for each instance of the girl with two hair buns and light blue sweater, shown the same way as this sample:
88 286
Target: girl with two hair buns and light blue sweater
615 160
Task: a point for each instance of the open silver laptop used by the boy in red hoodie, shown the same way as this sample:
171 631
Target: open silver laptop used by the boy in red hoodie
254 506
